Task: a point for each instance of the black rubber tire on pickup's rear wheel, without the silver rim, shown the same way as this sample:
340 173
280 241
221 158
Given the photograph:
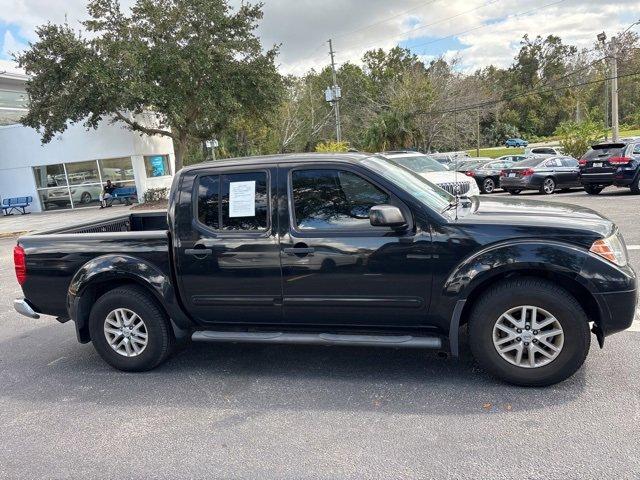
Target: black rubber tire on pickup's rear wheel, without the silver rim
160 338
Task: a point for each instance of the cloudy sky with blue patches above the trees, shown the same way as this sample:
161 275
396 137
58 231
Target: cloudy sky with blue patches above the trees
476 32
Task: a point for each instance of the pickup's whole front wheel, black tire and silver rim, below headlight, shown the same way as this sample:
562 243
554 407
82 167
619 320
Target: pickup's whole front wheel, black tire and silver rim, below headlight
529 332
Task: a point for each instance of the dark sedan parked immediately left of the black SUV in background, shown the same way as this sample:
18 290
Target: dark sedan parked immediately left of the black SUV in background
546 174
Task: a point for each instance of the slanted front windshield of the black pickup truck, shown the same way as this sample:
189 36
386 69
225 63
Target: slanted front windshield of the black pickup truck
429 194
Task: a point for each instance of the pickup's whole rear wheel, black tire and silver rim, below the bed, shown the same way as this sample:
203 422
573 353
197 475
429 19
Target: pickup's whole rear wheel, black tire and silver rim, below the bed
129 330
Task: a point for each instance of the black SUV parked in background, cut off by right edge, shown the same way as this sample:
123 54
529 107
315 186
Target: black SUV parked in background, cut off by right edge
611 164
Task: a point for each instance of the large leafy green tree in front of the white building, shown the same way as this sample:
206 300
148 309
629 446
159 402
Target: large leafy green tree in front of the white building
197 64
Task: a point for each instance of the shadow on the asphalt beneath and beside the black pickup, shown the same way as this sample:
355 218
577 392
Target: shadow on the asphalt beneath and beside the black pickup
259 378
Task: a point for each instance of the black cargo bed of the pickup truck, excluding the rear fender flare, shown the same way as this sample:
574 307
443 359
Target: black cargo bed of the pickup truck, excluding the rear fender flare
59 254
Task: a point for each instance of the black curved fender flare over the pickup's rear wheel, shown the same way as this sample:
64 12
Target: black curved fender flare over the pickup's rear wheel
114 268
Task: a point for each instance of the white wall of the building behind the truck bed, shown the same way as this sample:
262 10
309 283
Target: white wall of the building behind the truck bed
21 149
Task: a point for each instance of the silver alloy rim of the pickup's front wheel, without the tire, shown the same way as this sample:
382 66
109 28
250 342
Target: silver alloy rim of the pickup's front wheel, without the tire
528 336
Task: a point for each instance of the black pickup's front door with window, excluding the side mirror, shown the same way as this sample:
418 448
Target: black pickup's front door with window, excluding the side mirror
337 268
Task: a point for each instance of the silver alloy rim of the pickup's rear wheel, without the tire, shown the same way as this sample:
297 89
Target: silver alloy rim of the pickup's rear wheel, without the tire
125 332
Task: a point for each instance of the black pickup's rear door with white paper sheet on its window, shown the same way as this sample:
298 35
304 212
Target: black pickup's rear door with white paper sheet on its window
226 251
